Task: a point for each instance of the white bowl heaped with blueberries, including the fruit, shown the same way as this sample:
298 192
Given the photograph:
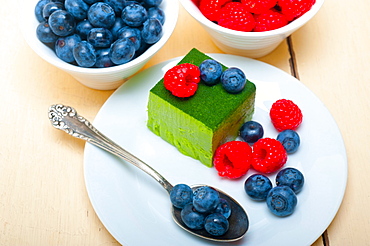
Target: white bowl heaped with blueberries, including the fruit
100 43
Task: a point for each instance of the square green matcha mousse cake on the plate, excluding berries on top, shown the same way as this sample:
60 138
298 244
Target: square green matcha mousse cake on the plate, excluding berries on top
197 125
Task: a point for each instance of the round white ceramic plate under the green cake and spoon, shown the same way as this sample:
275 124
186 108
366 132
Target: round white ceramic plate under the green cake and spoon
136 210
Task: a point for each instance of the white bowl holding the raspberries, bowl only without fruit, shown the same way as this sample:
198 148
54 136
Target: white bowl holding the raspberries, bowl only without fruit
250 44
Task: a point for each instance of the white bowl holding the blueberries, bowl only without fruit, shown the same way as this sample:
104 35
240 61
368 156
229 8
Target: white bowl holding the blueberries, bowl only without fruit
96 78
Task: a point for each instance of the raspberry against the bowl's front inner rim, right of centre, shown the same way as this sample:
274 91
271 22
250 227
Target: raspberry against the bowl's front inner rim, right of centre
270 20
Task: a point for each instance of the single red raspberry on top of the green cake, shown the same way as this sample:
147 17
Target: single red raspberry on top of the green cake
182 80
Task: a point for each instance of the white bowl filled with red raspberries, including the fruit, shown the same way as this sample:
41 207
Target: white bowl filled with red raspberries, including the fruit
251 28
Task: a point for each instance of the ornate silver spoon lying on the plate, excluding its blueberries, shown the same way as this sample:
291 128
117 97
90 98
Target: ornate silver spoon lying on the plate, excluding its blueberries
66 118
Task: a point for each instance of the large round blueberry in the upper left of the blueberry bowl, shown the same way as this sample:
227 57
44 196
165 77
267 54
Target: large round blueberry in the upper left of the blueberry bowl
62 23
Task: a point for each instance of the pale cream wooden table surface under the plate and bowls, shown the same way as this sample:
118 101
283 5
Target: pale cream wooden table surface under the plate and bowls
43 199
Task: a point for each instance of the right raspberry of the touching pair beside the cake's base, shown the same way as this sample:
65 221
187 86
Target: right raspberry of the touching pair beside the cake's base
268 155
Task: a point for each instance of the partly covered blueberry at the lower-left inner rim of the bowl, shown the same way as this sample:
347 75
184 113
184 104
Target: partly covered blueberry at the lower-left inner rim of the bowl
64 47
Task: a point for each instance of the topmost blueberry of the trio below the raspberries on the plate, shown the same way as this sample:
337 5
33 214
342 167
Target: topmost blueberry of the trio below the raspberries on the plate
291 177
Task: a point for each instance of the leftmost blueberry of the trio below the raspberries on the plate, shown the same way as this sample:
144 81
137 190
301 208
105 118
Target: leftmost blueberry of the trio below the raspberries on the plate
257 186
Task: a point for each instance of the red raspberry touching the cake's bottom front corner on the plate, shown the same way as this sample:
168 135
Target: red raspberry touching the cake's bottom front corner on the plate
233 159
